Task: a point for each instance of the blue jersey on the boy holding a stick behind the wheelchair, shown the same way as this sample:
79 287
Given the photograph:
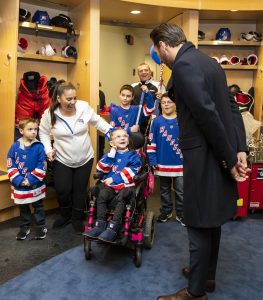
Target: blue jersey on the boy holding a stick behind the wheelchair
126 118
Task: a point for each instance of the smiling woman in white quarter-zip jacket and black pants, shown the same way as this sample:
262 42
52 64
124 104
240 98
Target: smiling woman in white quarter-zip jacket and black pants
66 123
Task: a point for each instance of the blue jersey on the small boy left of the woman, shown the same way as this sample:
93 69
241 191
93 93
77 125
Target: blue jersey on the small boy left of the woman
27 162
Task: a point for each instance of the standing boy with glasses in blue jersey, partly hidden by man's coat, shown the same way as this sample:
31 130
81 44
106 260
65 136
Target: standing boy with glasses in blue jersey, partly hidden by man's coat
167 159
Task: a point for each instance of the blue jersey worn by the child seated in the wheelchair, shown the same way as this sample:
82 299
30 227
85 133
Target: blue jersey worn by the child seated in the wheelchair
122 168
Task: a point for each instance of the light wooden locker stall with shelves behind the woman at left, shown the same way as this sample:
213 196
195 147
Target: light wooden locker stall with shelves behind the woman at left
85 17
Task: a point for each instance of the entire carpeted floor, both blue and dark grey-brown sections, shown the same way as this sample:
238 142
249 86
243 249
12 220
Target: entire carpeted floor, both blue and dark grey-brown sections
55 268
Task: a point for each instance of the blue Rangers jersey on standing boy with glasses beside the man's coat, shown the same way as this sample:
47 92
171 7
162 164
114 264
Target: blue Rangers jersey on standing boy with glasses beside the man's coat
164 152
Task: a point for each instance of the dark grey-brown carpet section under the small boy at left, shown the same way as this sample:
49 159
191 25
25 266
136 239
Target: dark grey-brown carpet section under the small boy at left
19 256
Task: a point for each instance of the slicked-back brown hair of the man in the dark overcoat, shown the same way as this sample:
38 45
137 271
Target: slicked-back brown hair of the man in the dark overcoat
171 34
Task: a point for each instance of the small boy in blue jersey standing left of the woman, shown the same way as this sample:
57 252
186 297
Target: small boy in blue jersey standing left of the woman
26 163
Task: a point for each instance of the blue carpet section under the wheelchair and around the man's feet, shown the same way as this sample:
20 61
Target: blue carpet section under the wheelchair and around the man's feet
111 274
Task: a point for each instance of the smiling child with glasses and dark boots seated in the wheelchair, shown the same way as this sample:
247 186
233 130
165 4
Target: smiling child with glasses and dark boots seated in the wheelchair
119 166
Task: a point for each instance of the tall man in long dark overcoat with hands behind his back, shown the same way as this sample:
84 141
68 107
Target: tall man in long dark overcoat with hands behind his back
212 140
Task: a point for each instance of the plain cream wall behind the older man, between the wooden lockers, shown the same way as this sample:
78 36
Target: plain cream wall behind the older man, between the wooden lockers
118 59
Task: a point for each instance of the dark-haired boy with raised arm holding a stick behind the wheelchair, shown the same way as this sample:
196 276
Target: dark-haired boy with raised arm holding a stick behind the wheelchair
125 115
